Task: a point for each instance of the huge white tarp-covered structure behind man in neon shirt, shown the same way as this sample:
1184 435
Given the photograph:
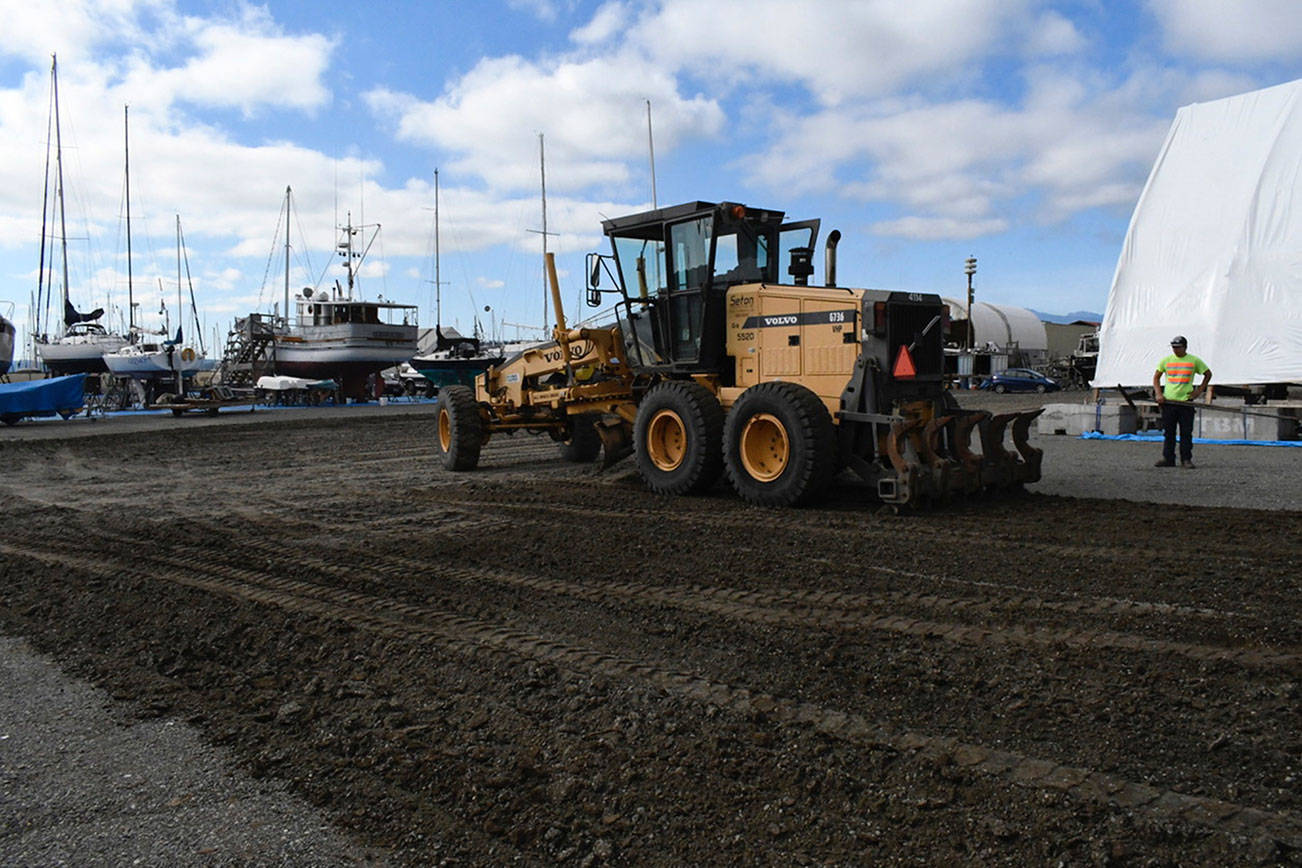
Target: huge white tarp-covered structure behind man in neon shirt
1215 248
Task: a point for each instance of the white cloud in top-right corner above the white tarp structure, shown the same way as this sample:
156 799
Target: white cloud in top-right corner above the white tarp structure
1244 31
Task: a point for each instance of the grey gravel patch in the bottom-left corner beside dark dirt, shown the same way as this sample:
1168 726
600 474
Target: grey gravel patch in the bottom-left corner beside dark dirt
83 787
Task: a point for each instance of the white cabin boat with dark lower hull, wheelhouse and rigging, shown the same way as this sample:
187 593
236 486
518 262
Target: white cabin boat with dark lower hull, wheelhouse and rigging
338 336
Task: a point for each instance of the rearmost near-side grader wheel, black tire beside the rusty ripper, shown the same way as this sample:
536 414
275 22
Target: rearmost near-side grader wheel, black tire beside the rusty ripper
779 446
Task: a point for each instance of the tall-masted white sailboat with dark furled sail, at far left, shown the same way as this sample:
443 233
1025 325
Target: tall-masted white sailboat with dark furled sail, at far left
81 342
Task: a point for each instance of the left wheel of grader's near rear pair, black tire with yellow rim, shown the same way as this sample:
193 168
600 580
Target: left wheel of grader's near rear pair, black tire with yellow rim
678 438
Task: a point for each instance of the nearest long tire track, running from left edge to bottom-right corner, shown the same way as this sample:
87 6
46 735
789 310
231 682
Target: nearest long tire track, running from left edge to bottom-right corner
471 636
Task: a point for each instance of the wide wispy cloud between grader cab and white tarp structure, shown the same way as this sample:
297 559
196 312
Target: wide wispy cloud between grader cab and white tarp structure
972 167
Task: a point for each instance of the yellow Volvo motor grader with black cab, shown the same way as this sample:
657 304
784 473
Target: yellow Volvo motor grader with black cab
715 365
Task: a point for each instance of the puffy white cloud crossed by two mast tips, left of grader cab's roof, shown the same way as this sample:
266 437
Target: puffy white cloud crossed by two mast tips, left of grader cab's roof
592 114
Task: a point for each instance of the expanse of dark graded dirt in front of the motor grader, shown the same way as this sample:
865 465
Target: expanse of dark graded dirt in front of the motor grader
541 662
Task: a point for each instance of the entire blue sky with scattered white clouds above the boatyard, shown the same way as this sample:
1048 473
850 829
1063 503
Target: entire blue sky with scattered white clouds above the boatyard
1018 132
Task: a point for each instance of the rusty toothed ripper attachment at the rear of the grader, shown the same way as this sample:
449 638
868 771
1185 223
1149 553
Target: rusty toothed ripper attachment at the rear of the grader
930 469
